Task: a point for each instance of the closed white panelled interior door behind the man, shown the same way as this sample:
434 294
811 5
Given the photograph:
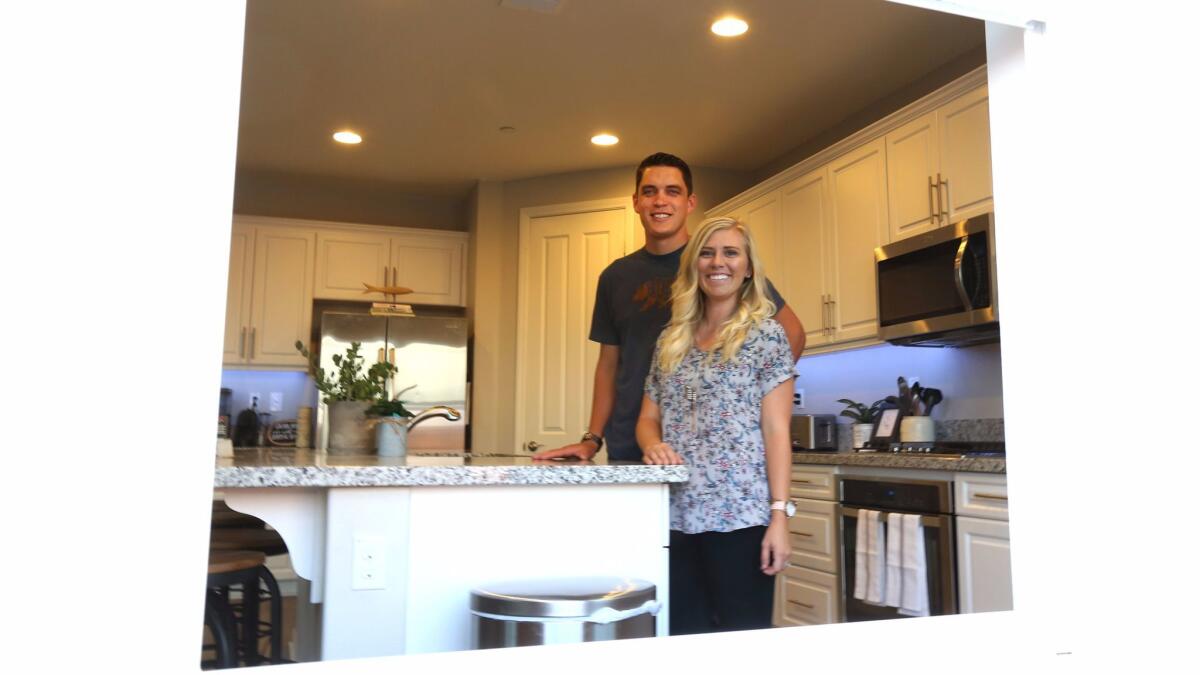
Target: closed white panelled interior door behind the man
563 252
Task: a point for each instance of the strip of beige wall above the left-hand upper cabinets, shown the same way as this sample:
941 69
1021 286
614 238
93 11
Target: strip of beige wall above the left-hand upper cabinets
311 198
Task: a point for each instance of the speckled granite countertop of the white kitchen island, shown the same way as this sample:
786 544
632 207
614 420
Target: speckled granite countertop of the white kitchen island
286 468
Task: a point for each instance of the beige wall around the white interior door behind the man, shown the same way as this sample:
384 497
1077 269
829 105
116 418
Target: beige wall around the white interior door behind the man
495 234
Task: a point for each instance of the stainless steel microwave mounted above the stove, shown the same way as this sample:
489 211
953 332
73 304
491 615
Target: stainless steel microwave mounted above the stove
939 289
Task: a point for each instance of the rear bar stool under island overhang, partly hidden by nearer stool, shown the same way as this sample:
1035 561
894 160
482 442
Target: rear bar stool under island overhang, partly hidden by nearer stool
267 543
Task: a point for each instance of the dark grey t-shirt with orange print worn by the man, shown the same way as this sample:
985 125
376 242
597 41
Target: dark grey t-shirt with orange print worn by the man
633 307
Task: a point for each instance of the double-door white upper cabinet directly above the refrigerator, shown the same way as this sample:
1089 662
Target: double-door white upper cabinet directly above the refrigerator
429 262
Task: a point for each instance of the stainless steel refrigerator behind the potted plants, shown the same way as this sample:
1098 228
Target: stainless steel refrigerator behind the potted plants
430 355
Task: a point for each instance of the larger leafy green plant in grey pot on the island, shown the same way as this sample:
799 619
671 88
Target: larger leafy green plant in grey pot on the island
350 395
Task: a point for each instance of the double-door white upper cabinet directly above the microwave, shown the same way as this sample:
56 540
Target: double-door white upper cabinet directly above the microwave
940 166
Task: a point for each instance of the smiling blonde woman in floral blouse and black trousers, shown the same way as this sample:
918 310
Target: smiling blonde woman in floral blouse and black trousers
719 399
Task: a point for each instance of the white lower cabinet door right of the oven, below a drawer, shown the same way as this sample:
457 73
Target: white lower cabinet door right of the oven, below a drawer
986 570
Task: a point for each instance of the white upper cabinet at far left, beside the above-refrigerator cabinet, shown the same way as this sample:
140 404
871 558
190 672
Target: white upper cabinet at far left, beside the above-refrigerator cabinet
269 297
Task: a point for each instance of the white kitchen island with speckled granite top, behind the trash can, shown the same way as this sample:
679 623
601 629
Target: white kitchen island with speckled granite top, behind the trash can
392 548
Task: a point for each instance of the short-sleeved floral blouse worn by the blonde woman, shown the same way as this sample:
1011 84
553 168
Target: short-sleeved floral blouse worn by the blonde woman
712 417
